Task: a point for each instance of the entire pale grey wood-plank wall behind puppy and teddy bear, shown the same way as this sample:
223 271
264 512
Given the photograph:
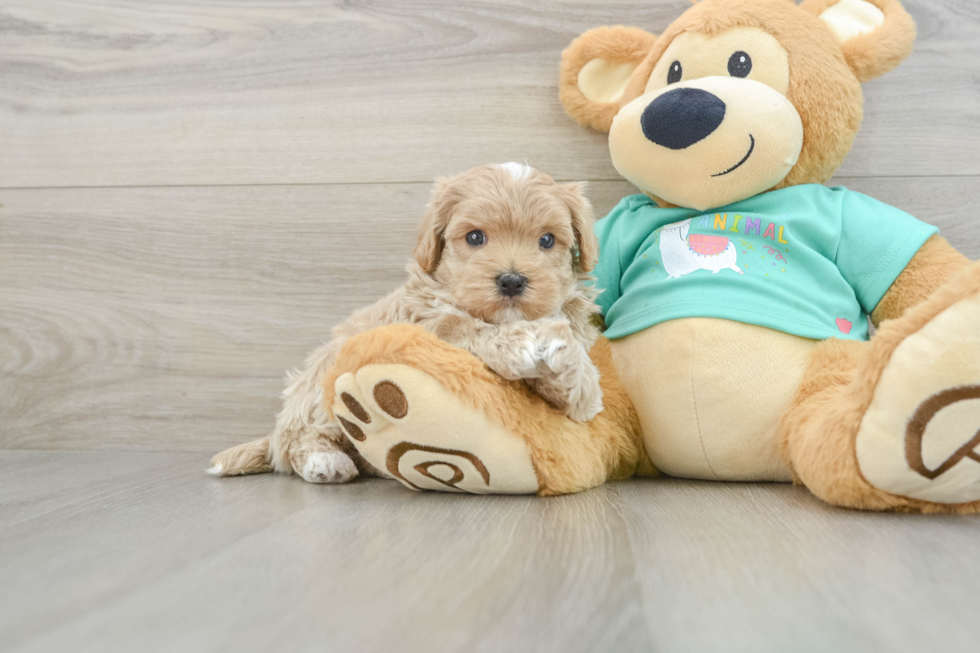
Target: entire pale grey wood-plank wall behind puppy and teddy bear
191 193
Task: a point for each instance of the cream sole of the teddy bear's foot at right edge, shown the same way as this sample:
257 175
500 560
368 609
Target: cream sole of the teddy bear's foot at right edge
920 437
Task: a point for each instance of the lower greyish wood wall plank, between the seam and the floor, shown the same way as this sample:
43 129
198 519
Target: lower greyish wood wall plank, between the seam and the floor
163 319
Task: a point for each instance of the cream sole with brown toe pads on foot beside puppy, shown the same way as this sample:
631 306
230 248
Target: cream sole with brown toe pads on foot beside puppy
425 437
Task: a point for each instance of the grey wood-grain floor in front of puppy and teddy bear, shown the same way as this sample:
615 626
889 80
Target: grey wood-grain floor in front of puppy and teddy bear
116 551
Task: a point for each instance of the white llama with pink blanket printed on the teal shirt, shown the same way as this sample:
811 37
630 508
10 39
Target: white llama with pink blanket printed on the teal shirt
683 252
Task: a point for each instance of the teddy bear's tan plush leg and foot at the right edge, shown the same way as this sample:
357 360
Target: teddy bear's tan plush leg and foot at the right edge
894 423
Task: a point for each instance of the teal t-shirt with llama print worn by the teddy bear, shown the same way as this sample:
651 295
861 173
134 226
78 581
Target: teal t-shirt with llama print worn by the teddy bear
807 260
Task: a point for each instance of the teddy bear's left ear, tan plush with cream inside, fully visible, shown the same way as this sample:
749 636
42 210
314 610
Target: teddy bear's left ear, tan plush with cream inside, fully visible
595 69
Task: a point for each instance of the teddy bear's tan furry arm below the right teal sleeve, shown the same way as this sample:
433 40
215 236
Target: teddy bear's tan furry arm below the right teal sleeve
934 264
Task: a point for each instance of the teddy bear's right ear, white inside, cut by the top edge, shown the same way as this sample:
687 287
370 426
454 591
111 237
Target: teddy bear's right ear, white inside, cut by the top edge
875 35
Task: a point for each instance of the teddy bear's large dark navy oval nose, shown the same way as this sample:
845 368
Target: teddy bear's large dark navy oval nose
682 117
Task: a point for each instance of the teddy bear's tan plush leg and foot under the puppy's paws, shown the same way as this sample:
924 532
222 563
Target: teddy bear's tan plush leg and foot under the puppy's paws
435 417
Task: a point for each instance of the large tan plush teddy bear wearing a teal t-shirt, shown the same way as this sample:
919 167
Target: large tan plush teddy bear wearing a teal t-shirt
736 289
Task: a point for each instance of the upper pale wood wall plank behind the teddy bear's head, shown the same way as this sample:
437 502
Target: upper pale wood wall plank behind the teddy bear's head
163 92
